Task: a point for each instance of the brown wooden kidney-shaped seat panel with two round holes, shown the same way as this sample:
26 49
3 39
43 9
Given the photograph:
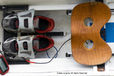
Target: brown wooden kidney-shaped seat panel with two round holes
100 52
